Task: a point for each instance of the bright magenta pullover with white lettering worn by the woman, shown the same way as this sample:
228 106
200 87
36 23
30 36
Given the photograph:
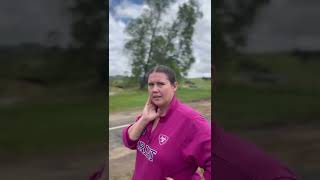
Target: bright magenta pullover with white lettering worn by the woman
180 143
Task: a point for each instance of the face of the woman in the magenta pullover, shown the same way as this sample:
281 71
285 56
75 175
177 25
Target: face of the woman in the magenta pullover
160 89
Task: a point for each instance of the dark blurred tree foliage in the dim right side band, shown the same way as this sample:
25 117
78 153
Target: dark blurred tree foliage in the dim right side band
232 19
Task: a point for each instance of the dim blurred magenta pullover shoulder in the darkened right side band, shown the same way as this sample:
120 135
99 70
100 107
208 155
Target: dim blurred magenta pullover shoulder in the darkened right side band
236 159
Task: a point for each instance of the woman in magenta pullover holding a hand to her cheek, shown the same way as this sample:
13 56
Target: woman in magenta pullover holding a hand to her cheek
172 140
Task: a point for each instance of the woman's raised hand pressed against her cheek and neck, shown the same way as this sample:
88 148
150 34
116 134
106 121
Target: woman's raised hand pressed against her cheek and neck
150 111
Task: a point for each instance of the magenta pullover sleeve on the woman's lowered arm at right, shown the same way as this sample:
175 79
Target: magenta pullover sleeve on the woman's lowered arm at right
197 146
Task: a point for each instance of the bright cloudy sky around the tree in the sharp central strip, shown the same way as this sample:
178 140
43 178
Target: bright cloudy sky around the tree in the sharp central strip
201 41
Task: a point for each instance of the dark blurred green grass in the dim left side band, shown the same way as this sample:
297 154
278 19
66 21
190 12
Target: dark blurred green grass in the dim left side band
45 128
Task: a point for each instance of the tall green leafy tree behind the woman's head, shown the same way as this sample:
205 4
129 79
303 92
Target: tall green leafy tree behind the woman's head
155 42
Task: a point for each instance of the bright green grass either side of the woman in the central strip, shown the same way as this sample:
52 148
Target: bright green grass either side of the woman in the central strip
135 98
